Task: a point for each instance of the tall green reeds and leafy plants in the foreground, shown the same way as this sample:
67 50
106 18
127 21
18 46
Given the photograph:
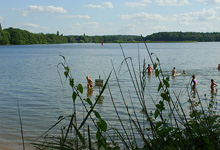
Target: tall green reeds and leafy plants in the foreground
168 126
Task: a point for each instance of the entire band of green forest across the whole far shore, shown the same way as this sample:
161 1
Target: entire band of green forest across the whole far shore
14 36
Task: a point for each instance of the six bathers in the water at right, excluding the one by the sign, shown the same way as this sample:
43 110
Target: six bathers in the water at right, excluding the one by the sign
193 82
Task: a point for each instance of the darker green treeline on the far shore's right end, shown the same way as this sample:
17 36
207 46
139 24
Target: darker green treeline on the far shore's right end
184 36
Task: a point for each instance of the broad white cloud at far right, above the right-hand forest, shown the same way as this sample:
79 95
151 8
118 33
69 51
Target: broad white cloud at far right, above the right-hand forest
202 16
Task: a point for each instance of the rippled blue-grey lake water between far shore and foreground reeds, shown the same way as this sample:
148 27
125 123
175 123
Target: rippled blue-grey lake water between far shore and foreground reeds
29 76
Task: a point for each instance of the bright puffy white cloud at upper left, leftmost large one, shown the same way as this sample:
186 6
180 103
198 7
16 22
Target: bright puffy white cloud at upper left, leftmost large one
44 9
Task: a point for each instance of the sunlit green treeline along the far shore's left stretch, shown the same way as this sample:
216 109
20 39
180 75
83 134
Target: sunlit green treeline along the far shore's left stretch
14 36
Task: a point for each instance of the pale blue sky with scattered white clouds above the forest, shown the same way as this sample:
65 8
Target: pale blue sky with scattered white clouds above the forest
117 17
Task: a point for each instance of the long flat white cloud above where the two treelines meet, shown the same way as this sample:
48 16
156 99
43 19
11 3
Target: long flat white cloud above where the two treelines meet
144 17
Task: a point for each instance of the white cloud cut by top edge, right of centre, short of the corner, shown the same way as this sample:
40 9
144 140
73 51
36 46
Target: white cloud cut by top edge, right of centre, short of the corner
172 2
